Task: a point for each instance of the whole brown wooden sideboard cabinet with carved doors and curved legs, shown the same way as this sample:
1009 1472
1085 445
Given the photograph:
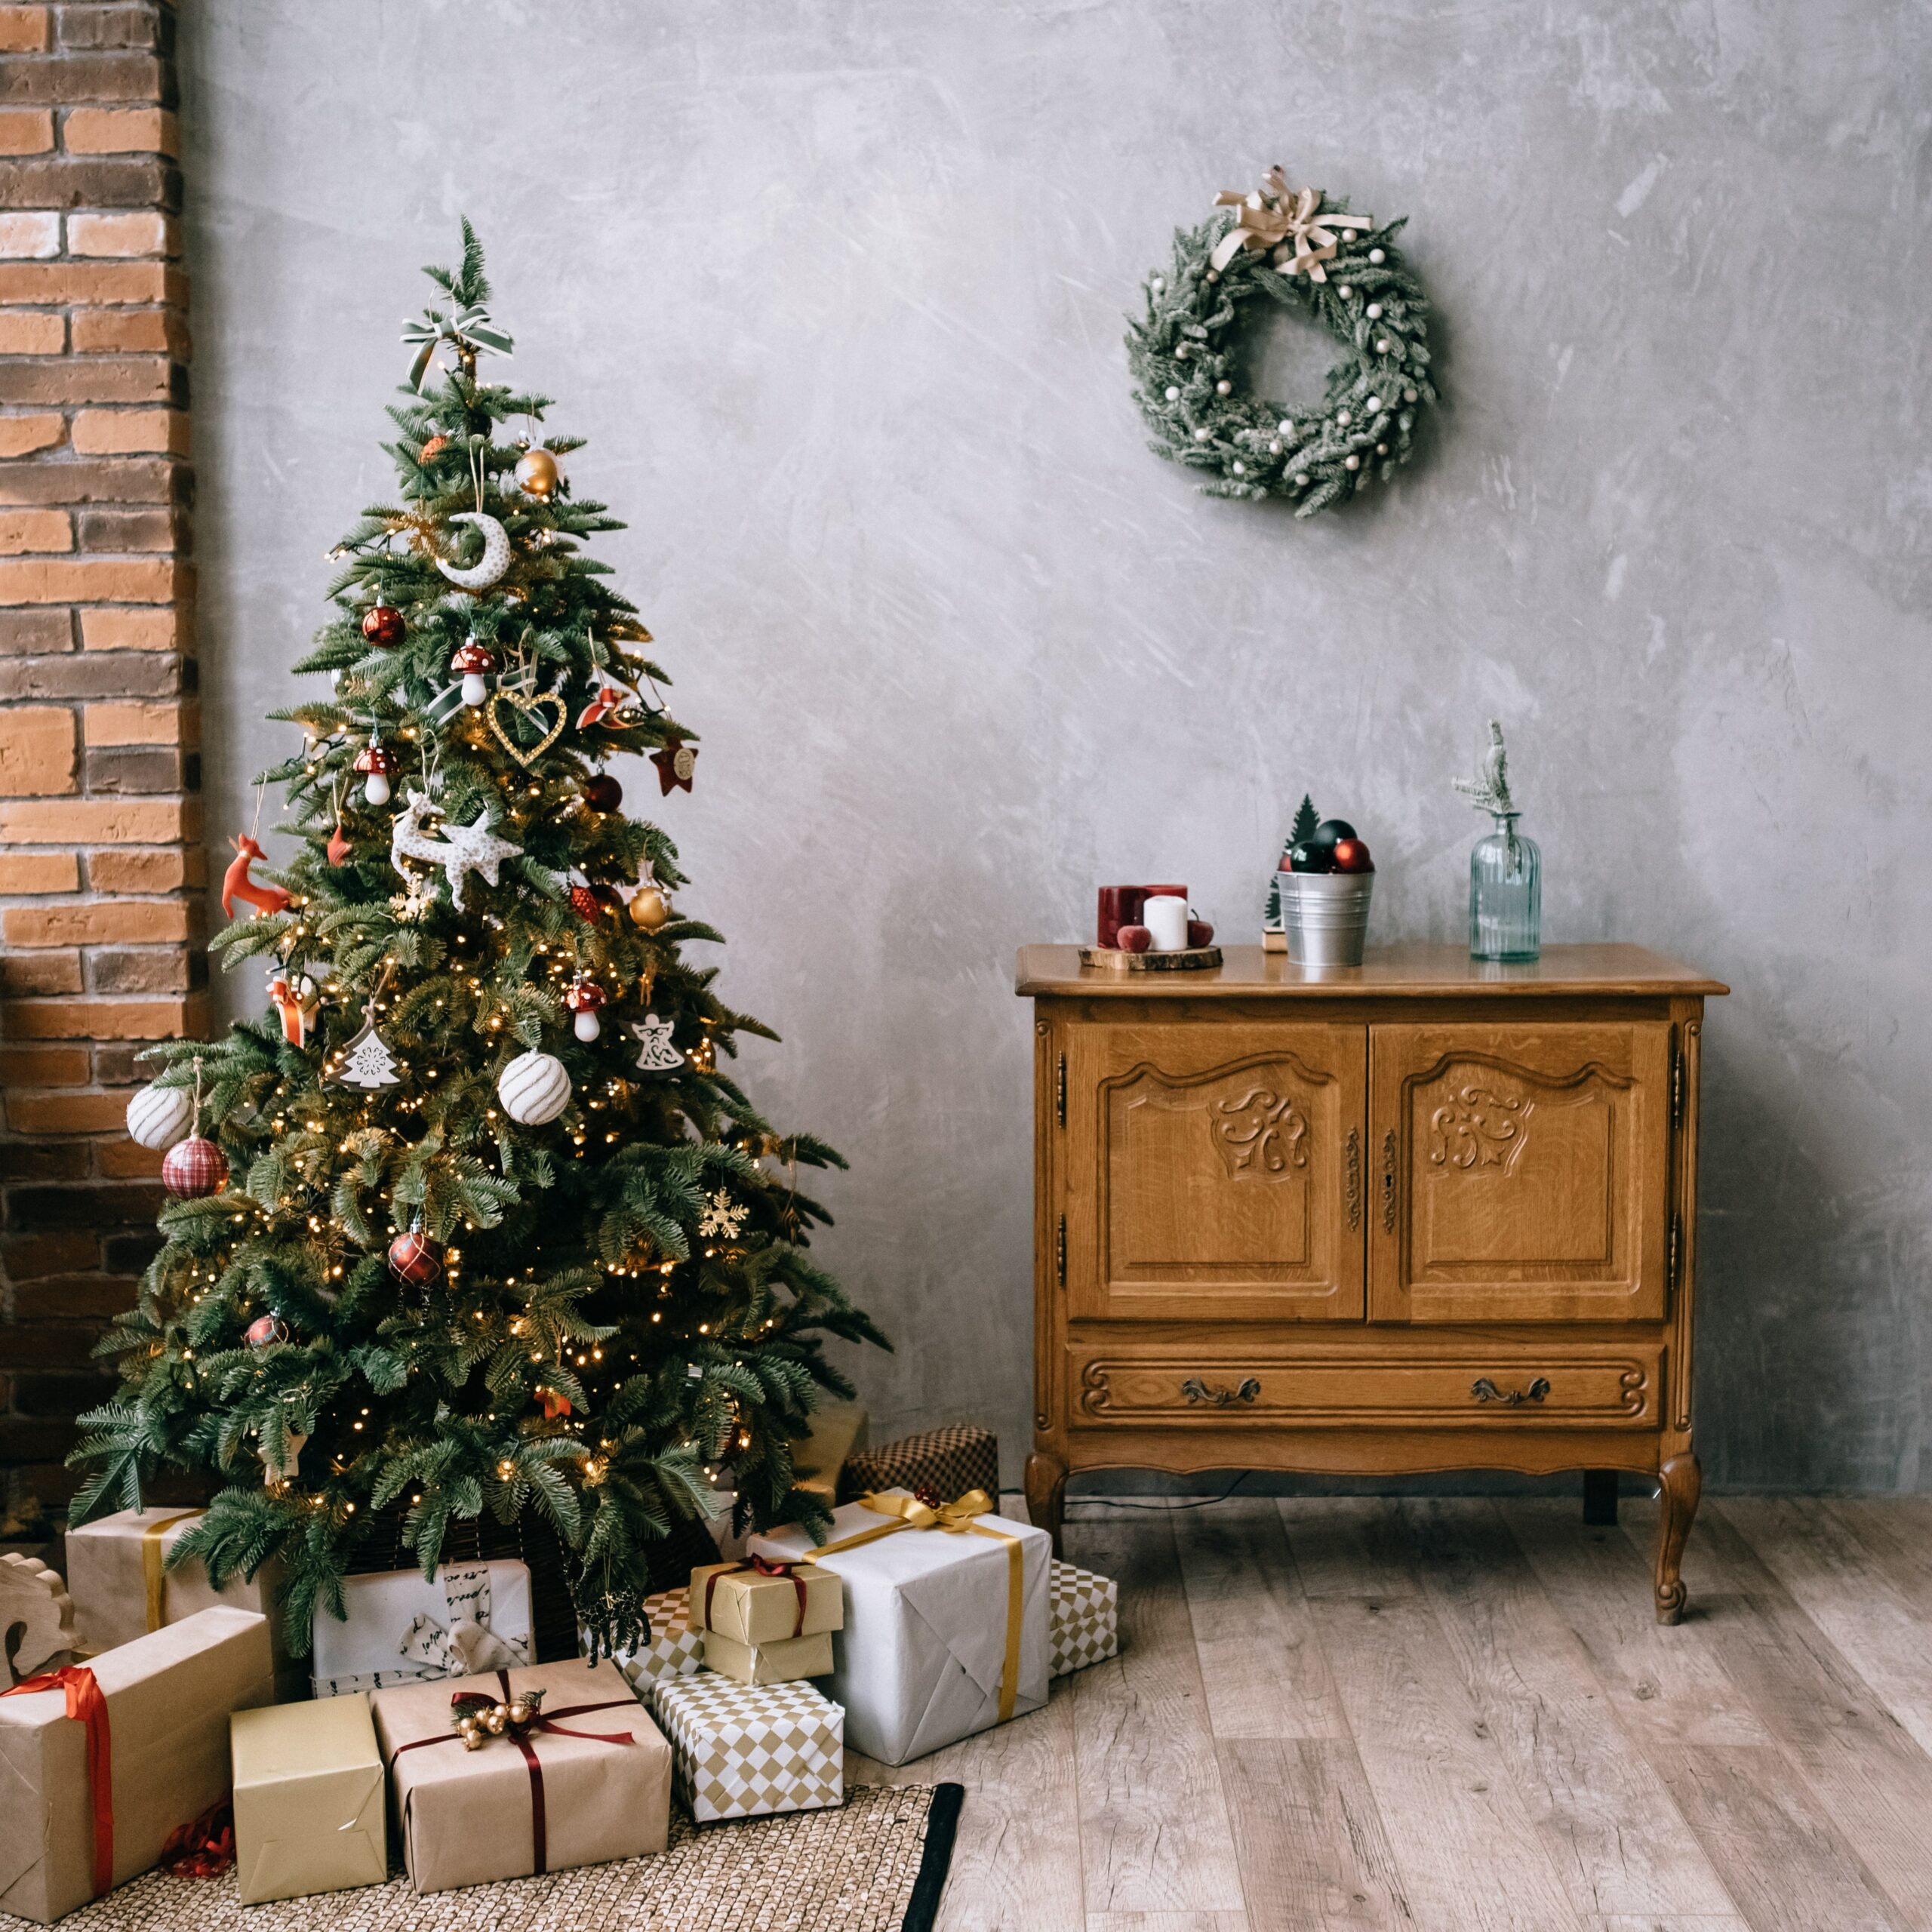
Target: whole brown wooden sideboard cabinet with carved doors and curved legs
1421 1214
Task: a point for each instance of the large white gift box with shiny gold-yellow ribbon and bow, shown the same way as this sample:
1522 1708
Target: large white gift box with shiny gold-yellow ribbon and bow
932 1620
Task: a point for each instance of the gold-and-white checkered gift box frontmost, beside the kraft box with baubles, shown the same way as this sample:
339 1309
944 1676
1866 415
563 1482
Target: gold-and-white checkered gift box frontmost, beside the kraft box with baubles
745 1751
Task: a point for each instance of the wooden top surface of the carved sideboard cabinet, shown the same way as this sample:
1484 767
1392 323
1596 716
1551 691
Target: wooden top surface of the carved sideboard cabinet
1404 971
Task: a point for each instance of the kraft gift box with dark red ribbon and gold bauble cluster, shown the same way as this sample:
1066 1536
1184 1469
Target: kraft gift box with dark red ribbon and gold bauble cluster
586 1782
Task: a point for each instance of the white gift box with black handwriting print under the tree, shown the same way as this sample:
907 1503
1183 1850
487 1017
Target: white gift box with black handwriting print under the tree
405 1628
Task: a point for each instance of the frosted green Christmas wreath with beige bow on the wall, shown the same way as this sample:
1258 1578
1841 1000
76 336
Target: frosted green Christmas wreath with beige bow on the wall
1309 252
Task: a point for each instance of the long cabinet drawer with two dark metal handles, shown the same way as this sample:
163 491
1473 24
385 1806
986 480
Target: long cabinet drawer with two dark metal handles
1570 1386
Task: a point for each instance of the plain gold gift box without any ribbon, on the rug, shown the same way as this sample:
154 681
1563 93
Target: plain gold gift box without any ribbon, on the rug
310 1813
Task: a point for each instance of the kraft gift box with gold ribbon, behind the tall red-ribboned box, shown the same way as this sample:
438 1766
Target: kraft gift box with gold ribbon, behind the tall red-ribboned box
123 1587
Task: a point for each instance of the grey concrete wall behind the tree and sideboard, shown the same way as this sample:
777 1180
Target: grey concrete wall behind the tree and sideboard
838 295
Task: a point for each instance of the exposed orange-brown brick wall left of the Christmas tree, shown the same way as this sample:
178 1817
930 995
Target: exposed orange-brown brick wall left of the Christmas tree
101 865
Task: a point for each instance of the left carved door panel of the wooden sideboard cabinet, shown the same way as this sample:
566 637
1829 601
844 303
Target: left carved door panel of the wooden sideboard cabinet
1216 1172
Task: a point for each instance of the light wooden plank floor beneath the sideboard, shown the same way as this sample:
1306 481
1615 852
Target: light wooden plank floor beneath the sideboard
1442 1717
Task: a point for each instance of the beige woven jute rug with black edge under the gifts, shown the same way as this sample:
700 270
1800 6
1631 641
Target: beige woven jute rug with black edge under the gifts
874 1865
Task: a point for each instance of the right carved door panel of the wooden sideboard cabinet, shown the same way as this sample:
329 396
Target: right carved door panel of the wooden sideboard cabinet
1520 1174
